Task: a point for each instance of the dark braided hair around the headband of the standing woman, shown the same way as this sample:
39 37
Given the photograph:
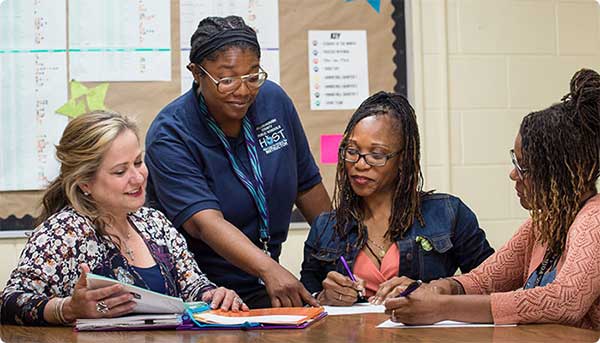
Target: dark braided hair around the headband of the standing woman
210 27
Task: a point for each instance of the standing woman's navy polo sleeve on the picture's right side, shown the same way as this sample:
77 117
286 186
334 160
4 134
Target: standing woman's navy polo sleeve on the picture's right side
308 171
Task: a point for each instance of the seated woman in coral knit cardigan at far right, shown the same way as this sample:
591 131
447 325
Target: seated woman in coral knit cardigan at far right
549 271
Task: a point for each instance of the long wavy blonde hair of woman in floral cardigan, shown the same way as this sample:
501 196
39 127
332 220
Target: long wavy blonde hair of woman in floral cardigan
80 153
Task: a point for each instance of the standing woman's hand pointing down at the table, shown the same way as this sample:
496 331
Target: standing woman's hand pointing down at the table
285 290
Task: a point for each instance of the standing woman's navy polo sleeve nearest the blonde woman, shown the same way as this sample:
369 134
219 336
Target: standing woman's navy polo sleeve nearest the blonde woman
179 183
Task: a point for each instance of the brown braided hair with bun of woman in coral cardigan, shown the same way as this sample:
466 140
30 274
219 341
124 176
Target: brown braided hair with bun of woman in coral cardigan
560 147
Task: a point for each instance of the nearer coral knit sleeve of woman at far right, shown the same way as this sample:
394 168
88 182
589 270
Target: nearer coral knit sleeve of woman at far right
570 296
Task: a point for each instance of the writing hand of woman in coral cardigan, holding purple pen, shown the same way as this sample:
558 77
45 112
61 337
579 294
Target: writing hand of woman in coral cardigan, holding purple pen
421 307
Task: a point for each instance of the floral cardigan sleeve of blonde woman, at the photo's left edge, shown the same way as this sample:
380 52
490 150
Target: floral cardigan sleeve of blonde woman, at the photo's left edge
47 268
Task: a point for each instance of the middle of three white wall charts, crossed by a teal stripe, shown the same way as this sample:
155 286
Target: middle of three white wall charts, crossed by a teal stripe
120 40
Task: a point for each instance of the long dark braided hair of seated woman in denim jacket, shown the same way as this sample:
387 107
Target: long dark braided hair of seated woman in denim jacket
406 201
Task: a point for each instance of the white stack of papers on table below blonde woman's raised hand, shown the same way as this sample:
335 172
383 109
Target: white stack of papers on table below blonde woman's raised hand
135 322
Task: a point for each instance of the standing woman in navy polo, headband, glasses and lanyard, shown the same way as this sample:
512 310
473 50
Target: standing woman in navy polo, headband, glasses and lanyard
228 160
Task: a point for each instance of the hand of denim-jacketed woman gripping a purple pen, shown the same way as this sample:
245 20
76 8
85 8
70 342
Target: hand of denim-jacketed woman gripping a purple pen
340 290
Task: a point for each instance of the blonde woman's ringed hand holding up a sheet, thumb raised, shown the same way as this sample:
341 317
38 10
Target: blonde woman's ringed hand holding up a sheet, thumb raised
85 303
